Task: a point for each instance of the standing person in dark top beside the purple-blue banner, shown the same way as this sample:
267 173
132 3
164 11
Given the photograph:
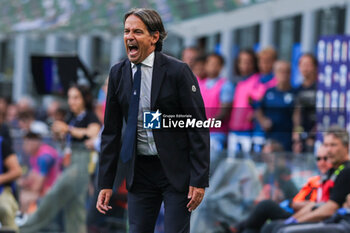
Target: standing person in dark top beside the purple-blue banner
305 110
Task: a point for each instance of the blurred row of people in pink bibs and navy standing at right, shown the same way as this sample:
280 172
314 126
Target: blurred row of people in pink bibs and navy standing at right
260 104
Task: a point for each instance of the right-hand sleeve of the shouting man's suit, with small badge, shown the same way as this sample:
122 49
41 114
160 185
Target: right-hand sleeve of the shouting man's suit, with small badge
192 104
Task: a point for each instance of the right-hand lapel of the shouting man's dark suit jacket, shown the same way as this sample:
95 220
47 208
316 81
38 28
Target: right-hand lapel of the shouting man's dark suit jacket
157 77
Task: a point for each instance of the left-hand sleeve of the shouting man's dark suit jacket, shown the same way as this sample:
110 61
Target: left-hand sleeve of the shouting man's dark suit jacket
111 135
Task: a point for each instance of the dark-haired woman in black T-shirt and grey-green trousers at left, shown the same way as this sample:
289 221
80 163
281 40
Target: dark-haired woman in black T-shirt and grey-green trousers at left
69 191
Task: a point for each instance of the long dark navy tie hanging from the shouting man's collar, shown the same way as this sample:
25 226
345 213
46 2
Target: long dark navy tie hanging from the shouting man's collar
128 143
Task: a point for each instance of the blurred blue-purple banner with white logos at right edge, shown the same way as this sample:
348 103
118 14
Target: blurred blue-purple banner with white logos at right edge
333 94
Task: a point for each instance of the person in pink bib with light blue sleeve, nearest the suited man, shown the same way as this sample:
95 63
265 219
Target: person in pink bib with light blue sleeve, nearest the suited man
217 93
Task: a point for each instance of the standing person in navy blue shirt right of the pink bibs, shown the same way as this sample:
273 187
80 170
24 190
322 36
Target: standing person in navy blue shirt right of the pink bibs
275 110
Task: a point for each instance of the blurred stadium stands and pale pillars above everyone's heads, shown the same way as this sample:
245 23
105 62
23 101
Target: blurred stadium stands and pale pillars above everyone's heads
92 29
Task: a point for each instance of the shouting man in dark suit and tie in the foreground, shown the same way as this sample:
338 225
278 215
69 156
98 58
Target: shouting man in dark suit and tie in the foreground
166 164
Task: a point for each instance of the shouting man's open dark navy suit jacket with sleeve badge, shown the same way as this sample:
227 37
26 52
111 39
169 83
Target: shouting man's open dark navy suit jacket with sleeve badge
184 153
